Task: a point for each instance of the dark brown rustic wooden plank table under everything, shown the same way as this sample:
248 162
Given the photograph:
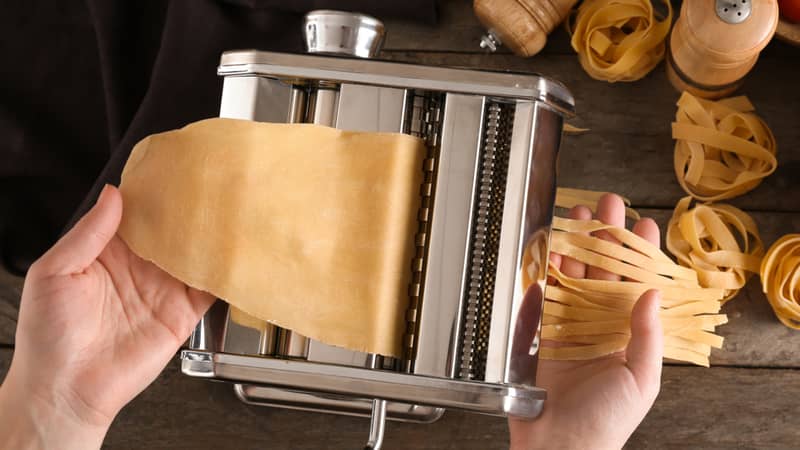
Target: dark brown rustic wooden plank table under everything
746 400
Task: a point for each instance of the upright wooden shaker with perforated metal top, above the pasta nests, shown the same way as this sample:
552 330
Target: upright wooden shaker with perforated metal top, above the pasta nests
715 43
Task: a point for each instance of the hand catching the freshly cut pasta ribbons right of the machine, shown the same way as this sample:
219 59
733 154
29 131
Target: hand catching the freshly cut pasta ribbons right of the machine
597 404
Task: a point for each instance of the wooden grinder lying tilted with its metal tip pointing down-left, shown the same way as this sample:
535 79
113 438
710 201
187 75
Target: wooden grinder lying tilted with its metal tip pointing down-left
520 25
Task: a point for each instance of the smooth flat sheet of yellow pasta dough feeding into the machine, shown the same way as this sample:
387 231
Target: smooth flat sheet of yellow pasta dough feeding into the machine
307 227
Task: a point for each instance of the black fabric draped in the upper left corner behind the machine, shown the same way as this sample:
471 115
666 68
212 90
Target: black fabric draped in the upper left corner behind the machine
80 84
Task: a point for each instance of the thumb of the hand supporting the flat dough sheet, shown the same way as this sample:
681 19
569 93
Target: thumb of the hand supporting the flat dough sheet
81 246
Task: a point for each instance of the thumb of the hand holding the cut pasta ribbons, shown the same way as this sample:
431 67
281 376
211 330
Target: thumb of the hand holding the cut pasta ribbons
646 346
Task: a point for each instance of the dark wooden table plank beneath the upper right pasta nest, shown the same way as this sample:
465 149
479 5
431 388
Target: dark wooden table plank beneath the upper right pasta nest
629 148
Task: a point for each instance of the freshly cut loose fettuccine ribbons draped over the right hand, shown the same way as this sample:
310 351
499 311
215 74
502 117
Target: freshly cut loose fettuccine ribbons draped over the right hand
591 318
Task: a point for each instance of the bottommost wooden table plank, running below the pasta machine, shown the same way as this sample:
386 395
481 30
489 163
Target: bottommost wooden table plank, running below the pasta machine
694 410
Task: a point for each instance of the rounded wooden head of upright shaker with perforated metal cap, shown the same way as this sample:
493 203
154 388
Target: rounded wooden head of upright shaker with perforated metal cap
733 29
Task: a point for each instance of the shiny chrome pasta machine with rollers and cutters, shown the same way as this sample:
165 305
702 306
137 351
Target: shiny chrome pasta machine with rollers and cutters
477 279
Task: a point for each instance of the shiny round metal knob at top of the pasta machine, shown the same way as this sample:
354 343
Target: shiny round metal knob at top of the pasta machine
342 33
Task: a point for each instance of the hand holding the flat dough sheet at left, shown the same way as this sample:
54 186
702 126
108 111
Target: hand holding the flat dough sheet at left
97 324
